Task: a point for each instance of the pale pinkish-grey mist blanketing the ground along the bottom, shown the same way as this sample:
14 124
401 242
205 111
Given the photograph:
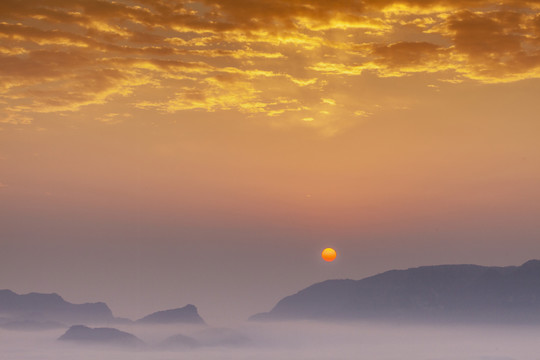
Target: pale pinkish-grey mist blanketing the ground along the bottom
291 340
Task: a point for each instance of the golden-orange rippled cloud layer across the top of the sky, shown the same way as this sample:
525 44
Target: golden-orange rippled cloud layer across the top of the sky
271 58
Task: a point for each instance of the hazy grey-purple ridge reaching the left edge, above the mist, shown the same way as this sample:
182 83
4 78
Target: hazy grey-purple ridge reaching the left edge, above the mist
40 308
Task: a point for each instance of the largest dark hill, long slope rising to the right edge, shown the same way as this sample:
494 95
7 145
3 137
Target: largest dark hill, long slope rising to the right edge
440 293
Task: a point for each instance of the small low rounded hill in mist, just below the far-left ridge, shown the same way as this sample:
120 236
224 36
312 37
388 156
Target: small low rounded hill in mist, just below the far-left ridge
102 336
